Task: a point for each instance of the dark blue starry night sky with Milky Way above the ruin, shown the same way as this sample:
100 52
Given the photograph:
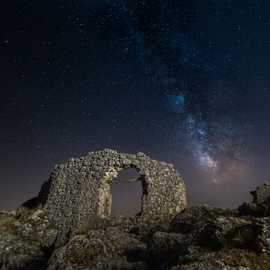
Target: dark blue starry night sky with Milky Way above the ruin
185 81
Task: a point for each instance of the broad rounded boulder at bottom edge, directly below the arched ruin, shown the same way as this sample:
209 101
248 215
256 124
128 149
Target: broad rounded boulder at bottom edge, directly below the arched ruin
100 249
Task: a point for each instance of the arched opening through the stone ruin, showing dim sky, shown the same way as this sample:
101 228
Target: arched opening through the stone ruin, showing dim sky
127 193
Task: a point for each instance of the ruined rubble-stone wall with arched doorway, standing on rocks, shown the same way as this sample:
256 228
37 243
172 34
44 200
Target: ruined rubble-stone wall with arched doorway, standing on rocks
80 189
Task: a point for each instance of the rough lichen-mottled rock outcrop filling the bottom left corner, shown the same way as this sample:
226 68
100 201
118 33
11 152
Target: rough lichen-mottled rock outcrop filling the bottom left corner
26 237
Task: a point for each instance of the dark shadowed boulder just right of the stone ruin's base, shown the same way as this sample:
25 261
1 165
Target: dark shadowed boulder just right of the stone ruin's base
211 227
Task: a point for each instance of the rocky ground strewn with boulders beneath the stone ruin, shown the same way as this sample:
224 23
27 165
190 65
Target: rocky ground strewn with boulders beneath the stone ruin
199 237
